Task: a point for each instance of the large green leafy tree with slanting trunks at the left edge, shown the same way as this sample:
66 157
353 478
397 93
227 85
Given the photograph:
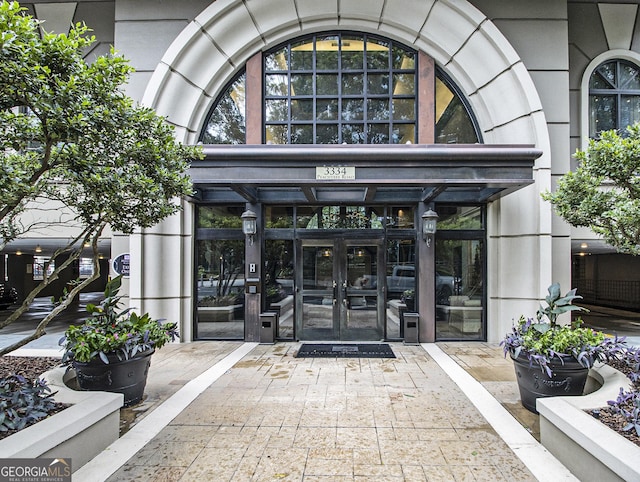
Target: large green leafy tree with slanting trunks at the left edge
69 136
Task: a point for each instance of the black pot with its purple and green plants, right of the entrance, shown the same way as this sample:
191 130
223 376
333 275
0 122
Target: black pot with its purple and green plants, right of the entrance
551 359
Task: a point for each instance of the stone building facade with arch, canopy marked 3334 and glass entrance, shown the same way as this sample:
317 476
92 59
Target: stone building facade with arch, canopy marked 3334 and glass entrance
336 129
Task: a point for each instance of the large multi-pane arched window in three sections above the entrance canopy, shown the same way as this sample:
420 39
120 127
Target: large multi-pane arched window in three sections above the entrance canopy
337 88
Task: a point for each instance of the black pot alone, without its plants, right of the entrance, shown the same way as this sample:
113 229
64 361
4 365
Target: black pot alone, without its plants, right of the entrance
567 379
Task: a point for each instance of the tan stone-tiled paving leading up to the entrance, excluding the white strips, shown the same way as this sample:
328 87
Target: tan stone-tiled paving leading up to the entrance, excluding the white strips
277 417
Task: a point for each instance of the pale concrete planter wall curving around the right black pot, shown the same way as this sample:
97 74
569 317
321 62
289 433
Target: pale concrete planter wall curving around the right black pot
587 447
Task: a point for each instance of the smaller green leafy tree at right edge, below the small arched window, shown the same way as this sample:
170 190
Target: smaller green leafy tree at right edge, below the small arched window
603 193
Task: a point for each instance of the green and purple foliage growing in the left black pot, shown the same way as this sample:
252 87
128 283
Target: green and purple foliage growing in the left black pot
110 330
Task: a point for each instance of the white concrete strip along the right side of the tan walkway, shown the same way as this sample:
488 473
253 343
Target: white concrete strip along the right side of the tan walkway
542 464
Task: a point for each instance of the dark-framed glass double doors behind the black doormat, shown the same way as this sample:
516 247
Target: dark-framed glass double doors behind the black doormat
341 295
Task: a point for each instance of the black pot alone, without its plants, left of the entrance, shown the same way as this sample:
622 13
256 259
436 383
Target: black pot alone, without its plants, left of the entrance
128 377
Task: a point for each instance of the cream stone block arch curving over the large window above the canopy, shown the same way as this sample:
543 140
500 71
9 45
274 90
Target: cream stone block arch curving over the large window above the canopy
464 42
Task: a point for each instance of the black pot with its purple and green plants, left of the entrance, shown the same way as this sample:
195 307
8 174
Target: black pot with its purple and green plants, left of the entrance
112 350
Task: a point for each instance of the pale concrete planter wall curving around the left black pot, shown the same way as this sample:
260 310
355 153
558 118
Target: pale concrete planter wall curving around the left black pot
79 432
